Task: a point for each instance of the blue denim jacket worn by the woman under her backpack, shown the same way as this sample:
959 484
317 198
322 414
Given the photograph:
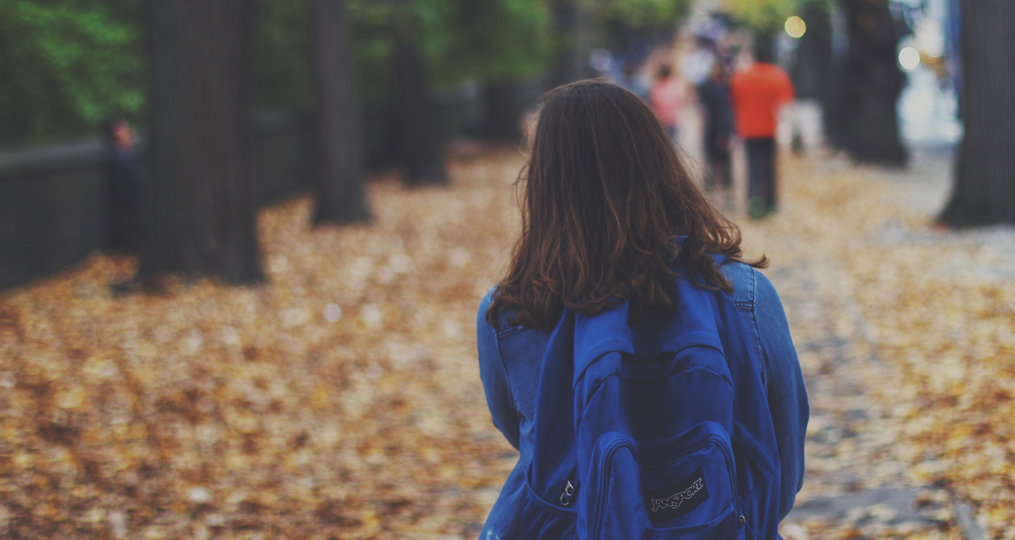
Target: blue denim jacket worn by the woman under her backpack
510 359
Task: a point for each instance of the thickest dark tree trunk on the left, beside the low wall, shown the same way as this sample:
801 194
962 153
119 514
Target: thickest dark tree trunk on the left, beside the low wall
201 218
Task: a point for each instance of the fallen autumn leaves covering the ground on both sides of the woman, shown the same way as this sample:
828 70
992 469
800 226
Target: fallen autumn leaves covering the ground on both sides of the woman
343 398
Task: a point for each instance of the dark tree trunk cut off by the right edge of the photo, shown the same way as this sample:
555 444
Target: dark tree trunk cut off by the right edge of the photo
984 192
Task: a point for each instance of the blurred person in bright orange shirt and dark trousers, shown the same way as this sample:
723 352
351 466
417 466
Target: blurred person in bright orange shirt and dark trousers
758 94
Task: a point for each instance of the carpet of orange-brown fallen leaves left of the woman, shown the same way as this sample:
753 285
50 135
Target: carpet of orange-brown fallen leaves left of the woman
341 400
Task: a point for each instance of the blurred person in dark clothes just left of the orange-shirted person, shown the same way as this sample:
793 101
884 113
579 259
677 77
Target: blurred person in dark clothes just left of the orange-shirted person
714 95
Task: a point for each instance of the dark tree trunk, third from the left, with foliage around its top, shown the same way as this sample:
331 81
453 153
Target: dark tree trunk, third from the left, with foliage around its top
421 142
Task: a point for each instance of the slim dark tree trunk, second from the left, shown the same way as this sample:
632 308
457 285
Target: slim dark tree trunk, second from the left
340 172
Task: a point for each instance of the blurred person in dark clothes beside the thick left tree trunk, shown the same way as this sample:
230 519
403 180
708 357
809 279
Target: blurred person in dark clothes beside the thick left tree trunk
127 185
